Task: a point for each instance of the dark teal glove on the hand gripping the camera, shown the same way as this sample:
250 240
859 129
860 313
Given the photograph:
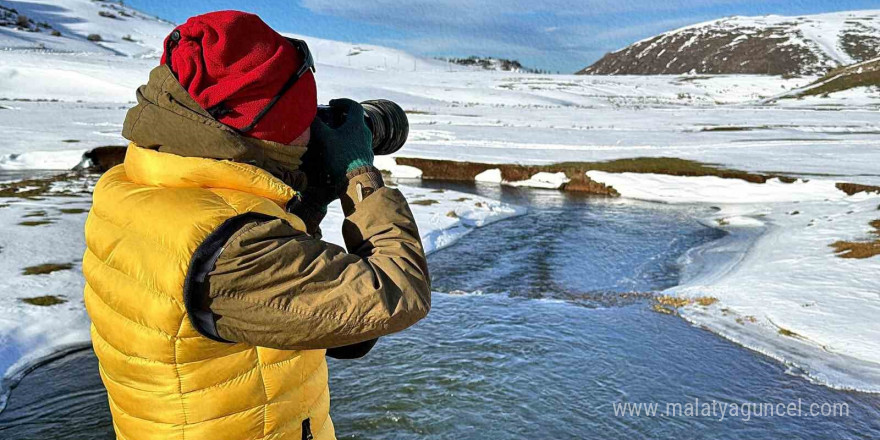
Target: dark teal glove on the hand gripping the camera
346 147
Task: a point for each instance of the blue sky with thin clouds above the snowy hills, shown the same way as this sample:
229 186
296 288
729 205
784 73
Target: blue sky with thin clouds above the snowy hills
556 35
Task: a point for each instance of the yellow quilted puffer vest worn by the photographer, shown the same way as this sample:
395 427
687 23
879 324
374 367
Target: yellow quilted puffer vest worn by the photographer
164 379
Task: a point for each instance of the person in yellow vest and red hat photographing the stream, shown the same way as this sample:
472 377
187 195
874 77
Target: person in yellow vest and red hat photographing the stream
212 297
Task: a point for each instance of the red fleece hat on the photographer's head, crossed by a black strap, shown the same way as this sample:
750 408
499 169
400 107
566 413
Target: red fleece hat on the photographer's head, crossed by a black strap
233 64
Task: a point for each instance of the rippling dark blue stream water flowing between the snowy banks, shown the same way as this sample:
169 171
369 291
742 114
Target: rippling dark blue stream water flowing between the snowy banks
557 334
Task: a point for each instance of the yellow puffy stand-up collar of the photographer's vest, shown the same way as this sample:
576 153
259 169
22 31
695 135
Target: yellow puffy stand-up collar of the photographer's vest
155 168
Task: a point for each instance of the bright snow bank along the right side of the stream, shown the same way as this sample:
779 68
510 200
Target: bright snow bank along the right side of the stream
781 289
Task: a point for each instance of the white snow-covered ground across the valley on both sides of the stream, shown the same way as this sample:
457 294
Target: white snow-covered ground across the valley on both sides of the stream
58 100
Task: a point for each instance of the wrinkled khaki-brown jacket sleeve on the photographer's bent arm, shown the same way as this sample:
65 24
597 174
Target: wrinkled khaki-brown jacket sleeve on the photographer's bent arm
273 286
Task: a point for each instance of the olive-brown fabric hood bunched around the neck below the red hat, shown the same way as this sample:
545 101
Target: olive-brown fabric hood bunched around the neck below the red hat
167 119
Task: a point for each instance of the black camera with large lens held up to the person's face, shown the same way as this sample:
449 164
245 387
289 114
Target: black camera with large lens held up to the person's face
385 119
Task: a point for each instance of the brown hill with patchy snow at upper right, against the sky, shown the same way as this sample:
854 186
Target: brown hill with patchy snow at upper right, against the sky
772 44
